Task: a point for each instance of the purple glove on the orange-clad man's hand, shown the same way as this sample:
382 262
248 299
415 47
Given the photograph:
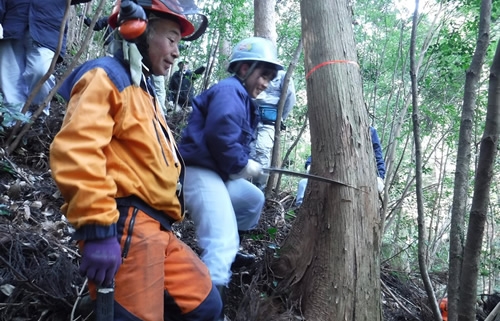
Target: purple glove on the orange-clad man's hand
101 260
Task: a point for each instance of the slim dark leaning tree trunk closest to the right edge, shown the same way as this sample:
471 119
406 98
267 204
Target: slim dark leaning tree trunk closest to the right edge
481 197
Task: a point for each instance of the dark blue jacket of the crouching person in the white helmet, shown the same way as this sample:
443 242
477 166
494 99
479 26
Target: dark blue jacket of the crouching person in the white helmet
220 129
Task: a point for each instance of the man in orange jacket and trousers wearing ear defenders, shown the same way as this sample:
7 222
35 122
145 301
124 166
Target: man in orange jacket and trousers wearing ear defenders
118 168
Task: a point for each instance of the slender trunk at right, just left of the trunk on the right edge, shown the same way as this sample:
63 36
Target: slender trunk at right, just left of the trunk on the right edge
463 161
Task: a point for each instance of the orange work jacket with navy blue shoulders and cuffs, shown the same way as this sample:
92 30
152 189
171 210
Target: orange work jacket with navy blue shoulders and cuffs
114 143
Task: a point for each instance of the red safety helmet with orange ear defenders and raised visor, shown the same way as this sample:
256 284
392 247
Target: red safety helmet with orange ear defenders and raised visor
131 19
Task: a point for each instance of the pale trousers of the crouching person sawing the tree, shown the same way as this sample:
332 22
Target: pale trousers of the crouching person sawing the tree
219 210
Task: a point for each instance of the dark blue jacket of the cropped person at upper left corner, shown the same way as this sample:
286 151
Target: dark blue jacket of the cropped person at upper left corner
41 18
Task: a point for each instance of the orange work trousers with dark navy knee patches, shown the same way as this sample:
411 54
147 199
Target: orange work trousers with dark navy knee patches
160 278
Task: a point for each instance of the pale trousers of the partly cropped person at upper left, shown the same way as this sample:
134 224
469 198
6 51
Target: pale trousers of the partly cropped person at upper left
22 63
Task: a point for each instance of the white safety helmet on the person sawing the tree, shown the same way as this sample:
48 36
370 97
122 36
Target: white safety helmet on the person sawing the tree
254 49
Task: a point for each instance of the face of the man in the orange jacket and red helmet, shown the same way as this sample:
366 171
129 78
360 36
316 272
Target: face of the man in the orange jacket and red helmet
163 45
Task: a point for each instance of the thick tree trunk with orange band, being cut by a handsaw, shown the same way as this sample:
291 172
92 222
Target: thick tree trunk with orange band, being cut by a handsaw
330 259
